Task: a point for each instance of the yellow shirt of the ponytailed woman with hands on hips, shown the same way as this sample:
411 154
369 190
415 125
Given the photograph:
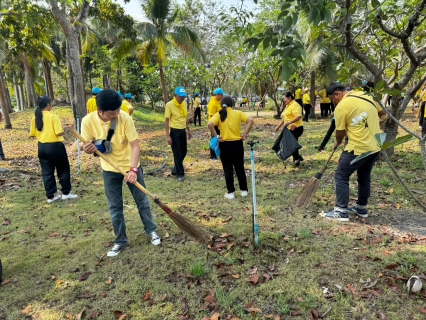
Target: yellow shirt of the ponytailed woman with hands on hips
230 129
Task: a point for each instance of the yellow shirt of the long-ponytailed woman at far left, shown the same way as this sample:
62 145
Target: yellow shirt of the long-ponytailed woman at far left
51 128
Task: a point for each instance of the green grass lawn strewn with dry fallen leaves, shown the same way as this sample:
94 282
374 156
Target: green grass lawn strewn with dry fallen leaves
45 249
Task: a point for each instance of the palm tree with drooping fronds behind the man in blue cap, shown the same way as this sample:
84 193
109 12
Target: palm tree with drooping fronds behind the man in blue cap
163 31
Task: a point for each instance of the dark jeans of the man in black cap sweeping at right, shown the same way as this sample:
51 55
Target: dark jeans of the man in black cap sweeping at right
341 177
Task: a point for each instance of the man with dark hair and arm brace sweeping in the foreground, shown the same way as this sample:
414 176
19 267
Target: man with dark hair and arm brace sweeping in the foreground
113 133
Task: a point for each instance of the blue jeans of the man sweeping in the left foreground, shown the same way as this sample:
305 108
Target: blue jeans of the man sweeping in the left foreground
113 182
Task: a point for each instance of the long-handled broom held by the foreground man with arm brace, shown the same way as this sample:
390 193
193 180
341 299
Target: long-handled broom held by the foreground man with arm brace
183 223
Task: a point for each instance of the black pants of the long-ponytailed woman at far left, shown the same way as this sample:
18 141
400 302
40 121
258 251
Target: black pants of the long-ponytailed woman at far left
54 156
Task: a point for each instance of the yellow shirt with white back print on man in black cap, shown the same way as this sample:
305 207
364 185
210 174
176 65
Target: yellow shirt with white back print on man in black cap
361 138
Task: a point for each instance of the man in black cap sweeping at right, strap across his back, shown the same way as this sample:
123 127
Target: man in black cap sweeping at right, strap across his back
356 118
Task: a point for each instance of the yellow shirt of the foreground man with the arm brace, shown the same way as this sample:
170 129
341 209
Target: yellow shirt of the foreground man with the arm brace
94 128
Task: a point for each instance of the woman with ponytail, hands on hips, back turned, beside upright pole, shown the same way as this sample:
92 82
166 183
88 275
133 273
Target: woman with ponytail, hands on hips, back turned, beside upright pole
231 144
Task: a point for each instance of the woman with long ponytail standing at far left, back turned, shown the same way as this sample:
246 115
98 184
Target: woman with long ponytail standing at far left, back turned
46 127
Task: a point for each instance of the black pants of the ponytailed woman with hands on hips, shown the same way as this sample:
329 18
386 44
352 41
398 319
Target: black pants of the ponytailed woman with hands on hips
232 157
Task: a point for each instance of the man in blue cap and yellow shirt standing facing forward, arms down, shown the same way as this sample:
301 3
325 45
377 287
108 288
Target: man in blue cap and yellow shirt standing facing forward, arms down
176 123
